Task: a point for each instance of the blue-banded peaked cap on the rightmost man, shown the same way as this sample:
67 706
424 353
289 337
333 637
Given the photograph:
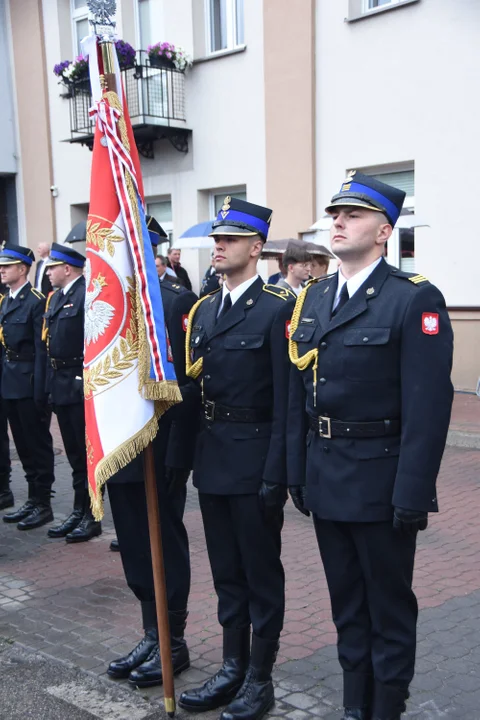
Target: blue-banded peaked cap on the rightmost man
368 192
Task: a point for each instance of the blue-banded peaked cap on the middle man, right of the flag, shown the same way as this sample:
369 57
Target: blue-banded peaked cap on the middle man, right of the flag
239 217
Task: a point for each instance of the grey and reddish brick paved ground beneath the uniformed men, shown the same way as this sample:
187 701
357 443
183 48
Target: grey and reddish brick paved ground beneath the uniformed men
67 611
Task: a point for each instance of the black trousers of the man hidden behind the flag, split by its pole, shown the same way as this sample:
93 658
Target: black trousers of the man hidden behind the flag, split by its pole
129 510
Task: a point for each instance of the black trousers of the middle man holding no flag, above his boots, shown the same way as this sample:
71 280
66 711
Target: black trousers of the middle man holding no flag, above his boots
244 551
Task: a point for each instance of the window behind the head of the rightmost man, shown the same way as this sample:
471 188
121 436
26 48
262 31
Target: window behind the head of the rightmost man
401 247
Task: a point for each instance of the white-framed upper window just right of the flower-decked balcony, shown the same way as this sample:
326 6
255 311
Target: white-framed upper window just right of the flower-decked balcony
225 24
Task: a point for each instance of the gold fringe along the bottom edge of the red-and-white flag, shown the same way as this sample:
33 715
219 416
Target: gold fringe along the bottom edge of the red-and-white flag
118 460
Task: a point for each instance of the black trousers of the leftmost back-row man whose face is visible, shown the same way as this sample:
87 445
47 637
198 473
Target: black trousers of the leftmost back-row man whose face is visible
31 434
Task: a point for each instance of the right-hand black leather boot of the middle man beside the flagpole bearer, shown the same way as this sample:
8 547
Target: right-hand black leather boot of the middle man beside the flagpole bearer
254 699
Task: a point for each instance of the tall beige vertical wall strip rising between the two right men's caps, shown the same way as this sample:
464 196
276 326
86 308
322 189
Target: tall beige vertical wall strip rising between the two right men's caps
289 59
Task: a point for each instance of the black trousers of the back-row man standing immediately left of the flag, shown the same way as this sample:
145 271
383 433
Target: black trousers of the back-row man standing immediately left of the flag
71 421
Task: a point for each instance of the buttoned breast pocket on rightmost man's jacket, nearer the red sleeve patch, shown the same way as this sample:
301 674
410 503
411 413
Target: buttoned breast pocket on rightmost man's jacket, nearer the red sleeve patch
370 354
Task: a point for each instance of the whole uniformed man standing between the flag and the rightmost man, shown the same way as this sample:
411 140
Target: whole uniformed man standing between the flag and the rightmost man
237 350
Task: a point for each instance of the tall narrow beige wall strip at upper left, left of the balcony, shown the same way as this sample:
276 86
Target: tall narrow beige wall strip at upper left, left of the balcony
33 121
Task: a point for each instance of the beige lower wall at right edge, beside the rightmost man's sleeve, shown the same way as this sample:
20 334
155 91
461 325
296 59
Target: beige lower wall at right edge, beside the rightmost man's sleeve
466 359
